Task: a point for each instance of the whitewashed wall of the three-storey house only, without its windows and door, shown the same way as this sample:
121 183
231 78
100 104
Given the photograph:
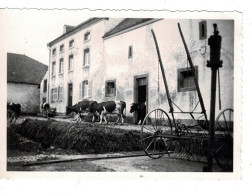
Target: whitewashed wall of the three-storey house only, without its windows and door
93 73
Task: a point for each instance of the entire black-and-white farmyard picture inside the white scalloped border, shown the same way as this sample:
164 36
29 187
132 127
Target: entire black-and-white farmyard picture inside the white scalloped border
107 94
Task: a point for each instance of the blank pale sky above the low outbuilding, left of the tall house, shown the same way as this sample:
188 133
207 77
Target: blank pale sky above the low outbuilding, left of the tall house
28 31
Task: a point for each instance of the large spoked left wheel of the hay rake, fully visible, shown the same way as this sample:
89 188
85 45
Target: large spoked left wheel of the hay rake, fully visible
155 125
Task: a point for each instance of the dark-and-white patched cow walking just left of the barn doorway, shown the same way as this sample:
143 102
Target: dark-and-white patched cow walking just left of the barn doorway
109 107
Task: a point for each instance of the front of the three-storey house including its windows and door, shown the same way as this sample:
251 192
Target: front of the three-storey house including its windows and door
76 62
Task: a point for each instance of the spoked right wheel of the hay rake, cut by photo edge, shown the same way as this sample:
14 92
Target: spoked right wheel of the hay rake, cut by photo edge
223 152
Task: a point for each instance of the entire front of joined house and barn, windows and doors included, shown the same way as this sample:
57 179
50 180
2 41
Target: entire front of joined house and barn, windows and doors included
116 59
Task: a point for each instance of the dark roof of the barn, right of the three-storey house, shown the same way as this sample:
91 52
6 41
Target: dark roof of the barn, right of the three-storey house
129 23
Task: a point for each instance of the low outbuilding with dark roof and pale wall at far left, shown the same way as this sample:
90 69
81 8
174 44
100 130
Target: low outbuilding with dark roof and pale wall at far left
24 76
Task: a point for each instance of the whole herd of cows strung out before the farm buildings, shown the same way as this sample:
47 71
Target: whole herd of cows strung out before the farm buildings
96 109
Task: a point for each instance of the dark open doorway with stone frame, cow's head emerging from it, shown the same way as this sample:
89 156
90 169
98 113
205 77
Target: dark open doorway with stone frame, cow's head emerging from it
140 93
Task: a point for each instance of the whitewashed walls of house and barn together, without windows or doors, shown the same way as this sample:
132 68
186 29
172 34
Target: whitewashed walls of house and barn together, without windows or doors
109 61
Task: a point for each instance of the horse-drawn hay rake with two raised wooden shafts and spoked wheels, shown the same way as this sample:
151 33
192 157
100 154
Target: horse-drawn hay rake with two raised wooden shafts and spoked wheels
162 134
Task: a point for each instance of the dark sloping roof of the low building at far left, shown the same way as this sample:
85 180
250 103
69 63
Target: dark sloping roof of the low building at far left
23 69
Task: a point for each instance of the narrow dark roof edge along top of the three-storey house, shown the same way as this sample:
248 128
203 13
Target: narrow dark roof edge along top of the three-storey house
75 29
